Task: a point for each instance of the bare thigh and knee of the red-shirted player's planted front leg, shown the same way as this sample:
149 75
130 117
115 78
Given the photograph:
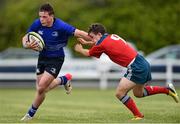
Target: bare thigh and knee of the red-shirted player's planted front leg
124 86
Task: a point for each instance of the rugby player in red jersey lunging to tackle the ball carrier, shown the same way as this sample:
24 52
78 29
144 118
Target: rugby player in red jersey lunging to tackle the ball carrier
138 69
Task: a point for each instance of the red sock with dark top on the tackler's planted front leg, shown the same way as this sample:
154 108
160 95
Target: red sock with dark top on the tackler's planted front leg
130 104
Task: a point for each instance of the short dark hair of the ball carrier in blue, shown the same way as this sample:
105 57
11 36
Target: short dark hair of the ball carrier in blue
47 8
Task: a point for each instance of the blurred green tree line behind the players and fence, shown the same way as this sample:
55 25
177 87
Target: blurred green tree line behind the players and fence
149 24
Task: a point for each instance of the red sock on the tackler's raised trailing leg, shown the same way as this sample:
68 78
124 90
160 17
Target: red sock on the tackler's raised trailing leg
151 90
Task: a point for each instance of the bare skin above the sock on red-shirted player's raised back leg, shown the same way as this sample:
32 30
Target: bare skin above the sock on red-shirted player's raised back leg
138 90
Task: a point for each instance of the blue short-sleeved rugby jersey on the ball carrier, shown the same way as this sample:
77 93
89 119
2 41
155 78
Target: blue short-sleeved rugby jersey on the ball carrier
55 37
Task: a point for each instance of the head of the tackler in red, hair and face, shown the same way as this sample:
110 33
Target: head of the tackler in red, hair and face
96 31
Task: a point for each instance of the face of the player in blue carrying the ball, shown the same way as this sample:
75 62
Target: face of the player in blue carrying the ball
46 19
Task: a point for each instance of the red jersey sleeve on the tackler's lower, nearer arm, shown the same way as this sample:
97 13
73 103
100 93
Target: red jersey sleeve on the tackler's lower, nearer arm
96 51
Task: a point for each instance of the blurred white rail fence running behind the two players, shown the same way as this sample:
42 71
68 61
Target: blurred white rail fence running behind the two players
87 69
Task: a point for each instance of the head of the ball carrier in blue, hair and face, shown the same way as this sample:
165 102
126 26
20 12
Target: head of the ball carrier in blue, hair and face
46 14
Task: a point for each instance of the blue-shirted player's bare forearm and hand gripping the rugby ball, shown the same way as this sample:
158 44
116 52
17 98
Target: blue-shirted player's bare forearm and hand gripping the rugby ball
27 44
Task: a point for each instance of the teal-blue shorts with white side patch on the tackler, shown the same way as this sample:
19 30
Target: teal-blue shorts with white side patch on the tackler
139 71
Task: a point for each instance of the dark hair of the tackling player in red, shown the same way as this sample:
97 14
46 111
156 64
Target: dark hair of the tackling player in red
97 28
